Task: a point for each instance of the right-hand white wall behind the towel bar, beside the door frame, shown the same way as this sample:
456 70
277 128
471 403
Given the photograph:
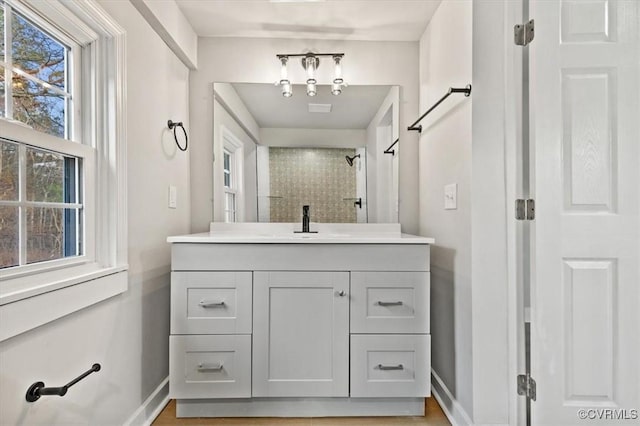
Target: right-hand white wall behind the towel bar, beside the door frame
445 158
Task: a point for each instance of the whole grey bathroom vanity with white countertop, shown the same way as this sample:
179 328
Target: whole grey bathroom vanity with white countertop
268 322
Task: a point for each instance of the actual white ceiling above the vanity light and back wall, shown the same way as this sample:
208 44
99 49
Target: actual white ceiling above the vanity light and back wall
393 20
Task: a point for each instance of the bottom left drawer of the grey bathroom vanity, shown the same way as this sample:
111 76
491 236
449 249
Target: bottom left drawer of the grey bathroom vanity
210 366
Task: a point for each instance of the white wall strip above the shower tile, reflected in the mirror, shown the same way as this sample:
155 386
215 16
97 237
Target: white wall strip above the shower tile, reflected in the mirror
313 138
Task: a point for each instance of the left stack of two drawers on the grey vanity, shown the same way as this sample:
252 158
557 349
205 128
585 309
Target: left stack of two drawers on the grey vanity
210 342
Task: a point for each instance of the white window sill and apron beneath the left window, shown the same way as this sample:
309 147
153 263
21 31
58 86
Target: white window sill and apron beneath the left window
32 301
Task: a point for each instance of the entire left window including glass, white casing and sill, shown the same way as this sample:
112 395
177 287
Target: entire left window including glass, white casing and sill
62 160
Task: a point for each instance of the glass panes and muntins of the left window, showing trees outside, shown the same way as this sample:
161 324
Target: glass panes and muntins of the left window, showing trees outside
41 179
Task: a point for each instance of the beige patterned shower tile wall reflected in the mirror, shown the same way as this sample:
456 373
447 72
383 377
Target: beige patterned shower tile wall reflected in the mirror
319 177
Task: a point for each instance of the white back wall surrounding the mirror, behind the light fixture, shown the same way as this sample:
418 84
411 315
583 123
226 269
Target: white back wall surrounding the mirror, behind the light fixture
250 60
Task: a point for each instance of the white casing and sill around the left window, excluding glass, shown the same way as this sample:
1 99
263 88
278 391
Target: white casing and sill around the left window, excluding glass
68 288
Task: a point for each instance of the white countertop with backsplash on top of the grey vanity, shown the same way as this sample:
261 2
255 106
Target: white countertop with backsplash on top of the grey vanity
284 233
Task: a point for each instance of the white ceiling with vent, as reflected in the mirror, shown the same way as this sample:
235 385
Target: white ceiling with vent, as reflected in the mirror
353 109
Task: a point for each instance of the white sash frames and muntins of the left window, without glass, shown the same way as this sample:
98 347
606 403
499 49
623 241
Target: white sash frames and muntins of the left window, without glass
77 141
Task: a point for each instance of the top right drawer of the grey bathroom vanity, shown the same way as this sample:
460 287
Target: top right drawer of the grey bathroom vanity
389 302
